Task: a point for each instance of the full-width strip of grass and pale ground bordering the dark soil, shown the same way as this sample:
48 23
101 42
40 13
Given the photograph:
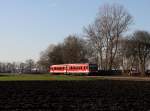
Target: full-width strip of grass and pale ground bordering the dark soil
49 77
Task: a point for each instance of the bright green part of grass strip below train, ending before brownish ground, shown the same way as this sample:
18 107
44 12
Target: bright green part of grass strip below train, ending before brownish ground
42 77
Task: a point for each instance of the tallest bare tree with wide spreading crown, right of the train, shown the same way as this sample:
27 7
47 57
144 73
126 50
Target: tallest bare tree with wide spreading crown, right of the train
114 20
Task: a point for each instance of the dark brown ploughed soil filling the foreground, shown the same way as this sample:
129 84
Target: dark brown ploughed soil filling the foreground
75 95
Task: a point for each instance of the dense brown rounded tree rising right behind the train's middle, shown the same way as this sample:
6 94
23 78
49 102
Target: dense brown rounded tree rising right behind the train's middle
74 50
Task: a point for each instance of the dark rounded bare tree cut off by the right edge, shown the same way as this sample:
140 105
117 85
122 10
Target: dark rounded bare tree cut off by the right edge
141 47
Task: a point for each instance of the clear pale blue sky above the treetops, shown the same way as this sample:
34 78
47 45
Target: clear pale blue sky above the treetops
28 27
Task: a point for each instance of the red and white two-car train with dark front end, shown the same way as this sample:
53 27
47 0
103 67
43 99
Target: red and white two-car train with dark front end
85 68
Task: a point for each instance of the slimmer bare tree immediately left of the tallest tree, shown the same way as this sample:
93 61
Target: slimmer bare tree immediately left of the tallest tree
95 41
